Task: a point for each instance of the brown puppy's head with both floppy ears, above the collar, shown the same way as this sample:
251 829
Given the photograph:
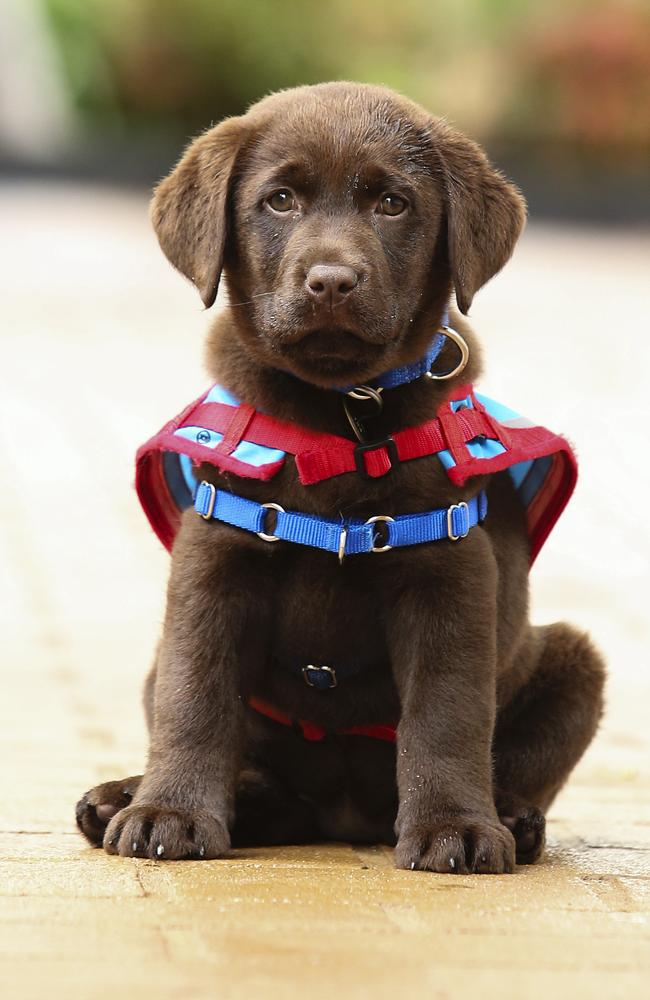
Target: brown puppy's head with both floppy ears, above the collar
342 215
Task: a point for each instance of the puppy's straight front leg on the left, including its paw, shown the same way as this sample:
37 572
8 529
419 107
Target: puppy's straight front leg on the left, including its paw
213 640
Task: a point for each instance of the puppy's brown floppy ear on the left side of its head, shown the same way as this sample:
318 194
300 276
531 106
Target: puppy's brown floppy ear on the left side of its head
188 210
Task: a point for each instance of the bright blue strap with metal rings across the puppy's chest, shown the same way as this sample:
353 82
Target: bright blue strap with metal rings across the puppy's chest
345 537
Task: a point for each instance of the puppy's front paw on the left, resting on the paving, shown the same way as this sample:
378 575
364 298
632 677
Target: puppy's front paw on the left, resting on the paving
166 834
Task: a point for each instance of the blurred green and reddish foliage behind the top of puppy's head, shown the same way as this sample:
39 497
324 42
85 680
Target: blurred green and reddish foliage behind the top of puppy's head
573 75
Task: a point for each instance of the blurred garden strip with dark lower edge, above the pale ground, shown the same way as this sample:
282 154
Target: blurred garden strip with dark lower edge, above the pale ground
558 91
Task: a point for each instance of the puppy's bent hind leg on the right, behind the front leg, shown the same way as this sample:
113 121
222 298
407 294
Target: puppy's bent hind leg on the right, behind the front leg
543 731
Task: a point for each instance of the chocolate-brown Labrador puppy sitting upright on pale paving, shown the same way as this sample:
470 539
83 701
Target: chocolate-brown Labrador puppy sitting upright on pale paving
342 216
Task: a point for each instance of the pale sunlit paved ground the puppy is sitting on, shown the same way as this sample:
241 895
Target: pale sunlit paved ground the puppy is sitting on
100 342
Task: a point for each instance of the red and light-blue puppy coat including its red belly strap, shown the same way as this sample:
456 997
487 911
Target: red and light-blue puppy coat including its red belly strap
471 434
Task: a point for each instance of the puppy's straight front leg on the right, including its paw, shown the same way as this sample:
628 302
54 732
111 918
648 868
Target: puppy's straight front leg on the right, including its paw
443 647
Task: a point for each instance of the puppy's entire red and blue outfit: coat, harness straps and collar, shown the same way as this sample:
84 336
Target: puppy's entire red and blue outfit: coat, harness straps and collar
471 435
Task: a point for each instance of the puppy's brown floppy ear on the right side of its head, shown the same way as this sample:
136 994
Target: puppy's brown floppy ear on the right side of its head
485 213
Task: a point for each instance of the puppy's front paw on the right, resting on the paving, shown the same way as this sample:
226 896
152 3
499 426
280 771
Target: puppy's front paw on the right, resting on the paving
457 848
